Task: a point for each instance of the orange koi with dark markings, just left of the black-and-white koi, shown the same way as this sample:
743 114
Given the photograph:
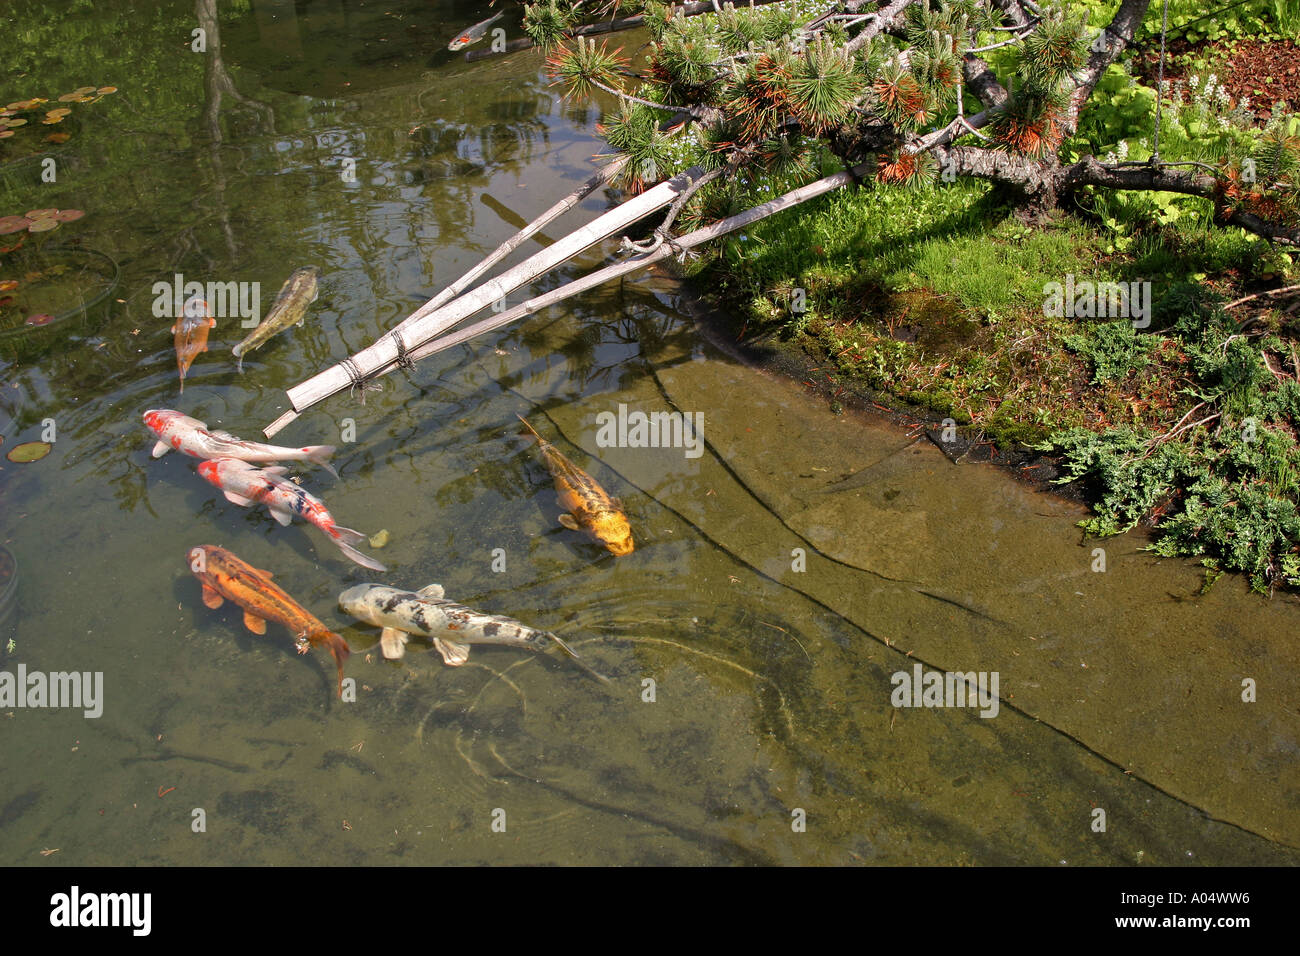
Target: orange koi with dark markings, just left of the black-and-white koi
223 576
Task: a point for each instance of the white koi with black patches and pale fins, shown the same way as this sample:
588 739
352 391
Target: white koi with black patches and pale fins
450 626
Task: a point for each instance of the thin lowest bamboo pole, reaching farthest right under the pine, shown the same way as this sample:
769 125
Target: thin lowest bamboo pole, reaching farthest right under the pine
586 283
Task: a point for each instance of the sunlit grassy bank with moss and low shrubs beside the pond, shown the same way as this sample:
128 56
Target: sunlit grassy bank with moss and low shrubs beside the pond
935 297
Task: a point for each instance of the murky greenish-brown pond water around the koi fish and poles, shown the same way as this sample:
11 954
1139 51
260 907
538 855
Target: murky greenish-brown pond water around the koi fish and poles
749 720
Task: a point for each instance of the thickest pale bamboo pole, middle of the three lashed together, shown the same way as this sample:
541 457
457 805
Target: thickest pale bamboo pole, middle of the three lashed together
428 323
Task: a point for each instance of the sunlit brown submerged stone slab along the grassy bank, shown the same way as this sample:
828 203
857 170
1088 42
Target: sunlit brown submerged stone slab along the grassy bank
965 570
